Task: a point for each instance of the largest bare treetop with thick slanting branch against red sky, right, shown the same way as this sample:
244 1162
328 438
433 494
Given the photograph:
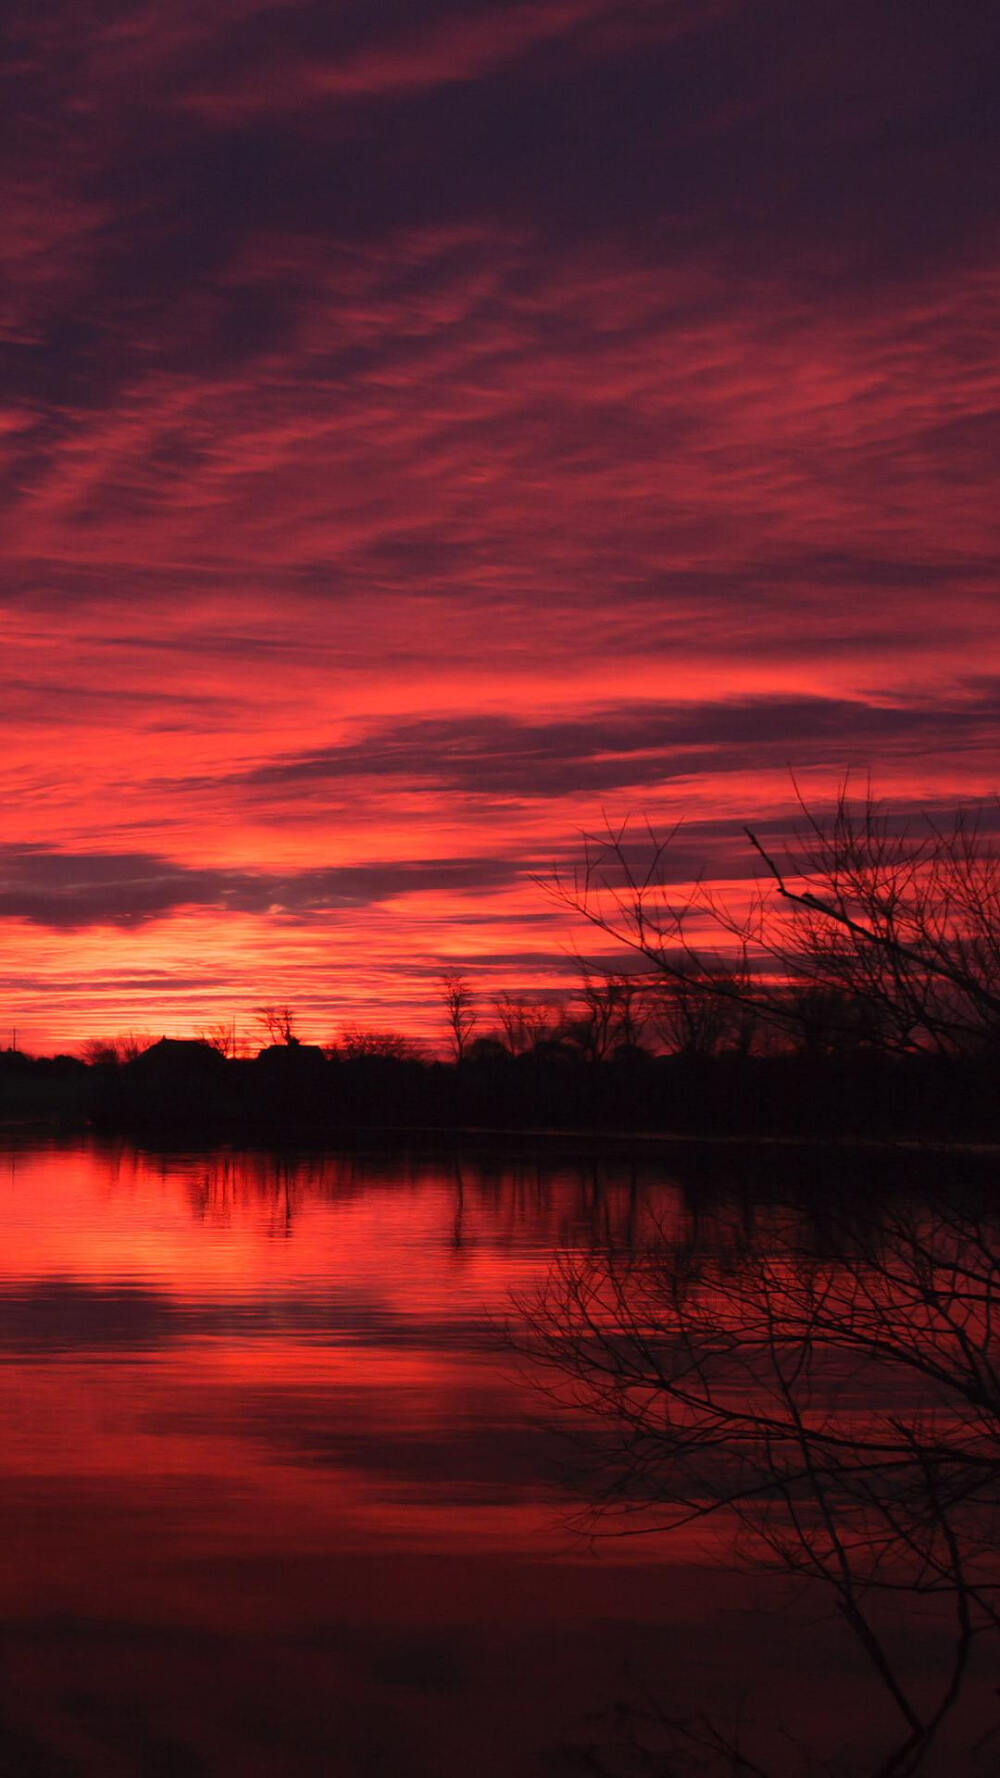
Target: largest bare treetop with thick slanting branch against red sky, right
887 933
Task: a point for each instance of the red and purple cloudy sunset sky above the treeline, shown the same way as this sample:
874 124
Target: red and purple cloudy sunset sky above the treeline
430 431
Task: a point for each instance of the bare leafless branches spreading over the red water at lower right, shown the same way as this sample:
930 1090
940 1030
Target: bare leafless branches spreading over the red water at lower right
825 1386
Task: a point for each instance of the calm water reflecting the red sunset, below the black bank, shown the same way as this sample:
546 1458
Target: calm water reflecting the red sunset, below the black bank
278 1496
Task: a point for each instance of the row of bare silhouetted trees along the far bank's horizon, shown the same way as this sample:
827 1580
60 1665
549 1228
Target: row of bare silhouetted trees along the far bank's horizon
866 945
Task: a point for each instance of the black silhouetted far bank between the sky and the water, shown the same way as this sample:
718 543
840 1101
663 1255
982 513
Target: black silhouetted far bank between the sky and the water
296 1089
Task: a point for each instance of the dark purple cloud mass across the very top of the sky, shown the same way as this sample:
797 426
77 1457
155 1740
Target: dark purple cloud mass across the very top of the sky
830 141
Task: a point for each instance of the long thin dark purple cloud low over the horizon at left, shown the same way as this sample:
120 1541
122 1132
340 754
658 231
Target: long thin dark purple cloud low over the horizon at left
69 890
